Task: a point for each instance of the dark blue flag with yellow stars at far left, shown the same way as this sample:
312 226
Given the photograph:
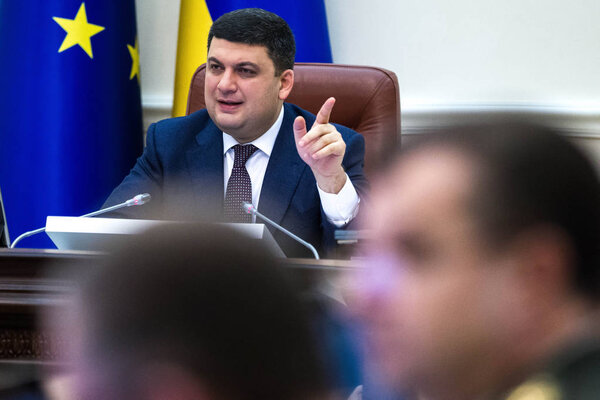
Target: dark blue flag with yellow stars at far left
70 110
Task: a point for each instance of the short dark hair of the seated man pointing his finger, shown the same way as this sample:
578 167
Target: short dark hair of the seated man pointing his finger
255 26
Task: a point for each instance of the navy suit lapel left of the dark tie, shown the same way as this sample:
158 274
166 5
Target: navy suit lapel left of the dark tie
205 163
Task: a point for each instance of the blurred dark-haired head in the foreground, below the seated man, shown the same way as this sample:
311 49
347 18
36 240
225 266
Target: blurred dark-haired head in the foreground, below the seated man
191 313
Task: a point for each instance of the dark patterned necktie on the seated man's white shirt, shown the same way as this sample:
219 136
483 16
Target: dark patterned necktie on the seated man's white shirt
239 187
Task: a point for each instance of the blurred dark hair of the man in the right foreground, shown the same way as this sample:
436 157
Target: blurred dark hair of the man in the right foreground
526 177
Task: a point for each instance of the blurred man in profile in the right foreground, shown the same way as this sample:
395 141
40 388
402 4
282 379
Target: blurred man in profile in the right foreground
482 279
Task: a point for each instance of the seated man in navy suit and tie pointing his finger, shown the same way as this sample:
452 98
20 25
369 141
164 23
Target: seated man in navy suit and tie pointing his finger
305 173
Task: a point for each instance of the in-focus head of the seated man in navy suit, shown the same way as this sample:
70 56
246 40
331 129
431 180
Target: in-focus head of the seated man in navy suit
249 71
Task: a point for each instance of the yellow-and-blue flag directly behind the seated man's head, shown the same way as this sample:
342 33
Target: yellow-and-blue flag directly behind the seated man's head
307 19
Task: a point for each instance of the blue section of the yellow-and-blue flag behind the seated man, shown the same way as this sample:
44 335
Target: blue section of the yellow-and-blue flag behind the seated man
307 19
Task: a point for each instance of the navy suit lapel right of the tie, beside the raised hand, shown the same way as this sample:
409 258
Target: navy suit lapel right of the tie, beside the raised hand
283 172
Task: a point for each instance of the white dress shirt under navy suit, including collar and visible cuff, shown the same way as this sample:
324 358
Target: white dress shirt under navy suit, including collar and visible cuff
339 208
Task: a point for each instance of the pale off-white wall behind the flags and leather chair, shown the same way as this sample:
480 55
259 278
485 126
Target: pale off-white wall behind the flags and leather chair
454 59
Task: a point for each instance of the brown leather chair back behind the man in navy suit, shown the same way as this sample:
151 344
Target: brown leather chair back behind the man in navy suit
368 101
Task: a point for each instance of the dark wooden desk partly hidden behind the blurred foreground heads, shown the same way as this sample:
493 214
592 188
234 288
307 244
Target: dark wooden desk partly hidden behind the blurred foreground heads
29 285
